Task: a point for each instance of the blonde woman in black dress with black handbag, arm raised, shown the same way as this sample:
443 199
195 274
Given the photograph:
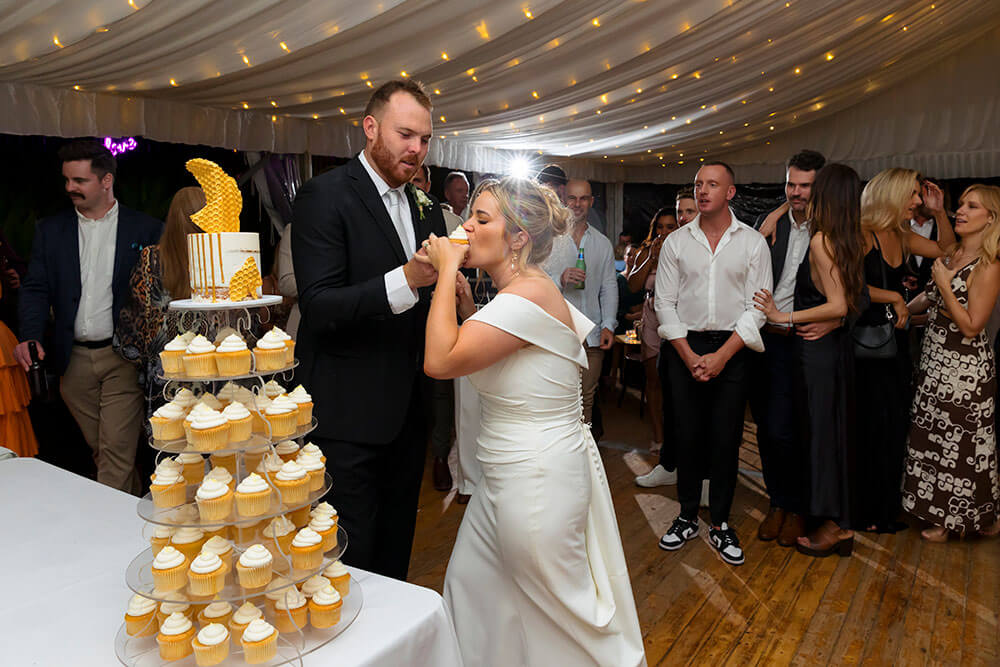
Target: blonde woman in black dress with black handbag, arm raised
883 384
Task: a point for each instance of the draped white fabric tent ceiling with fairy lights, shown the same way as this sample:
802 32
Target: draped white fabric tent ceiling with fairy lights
645 83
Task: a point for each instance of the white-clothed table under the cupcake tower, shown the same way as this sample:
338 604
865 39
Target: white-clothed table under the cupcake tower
67 542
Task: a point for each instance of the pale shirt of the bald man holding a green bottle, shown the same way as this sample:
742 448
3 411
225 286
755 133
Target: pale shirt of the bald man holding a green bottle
598 299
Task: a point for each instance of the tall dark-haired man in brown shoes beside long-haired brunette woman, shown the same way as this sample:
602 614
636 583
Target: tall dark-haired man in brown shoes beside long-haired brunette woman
772 373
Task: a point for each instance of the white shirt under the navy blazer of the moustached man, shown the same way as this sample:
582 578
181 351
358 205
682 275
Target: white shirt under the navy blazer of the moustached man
97 238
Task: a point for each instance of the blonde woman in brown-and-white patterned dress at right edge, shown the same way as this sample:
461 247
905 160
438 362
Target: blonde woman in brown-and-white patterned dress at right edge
950 474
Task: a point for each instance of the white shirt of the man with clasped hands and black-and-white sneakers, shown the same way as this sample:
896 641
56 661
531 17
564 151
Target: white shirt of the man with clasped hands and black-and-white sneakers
701 290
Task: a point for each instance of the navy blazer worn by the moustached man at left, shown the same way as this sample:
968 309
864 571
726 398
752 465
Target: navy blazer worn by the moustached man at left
53 280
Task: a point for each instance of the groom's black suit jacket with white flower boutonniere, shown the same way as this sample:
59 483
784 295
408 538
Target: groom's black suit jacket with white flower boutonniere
358 360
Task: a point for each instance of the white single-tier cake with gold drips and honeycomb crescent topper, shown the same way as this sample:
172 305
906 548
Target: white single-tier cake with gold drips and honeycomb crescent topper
223 263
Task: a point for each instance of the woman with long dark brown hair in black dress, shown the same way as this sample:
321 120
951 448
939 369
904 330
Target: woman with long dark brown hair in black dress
828 286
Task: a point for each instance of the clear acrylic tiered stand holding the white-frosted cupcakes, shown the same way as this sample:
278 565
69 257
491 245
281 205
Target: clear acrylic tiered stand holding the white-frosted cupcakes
208 318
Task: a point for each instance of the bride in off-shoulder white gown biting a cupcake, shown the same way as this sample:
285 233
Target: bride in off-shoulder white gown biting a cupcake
537 576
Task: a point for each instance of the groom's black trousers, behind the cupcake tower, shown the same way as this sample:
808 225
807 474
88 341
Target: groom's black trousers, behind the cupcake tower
376 488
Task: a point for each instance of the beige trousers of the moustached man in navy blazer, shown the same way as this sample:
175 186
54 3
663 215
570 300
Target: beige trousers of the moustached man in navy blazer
103 394
